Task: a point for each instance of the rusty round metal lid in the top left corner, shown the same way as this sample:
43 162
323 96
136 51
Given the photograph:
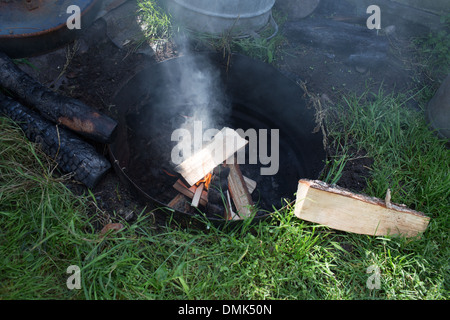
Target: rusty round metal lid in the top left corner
30 27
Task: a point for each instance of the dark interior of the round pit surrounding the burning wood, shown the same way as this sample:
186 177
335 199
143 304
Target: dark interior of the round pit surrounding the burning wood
248 95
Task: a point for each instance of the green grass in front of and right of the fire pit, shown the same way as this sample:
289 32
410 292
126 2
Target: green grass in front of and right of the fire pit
44 228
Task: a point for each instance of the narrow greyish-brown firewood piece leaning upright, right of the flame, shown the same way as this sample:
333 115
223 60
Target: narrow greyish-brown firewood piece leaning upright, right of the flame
239 192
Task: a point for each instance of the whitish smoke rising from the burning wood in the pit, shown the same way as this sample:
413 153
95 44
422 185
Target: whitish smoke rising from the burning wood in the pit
193 97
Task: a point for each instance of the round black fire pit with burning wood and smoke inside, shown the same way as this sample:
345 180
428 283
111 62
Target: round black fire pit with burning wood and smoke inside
197 97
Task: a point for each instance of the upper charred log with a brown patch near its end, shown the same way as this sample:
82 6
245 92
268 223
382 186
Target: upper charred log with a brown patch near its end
69 112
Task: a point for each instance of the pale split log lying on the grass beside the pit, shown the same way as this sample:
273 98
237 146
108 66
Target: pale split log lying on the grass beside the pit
343 210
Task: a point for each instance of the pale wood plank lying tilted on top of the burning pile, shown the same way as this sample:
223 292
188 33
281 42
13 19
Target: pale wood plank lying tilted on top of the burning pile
224 145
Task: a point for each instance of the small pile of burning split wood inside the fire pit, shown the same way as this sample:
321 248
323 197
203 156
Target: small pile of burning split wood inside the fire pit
214 184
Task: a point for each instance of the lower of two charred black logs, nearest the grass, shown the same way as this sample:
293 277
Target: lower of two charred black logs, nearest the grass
72 154
